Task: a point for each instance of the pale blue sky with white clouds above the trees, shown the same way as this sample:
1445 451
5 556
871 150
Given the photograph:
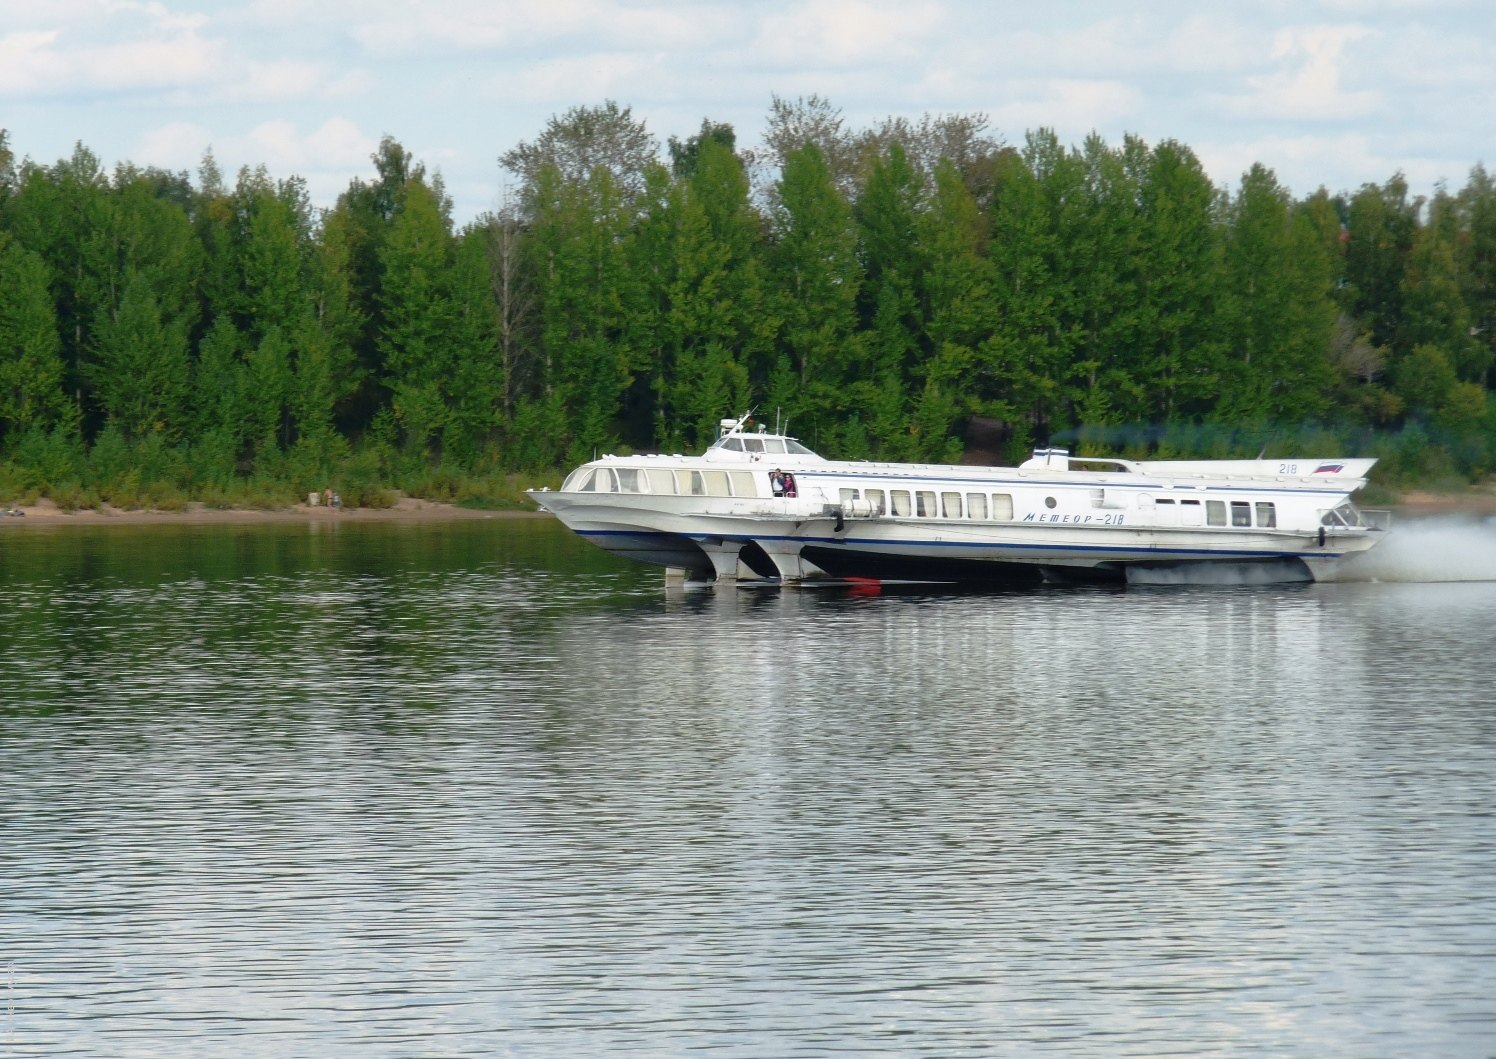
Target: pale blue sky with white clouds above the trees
1334 93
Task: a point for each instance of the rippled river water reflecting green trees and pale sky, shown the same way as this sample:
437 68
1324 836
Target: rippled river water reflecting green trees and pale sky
476 789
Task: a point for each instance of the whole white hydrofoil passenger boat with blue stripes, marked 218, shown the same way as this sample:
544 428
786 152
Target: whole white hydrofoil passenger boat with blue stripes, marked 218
1055 517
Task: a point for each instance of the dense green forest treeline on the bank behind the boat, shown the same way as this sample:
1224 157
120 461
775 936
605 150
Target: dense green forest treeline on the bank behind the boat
891 292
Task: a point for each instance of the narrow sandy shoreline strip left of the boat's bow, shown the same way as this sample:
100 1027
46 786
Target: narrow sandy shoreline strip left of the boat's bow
409 509
